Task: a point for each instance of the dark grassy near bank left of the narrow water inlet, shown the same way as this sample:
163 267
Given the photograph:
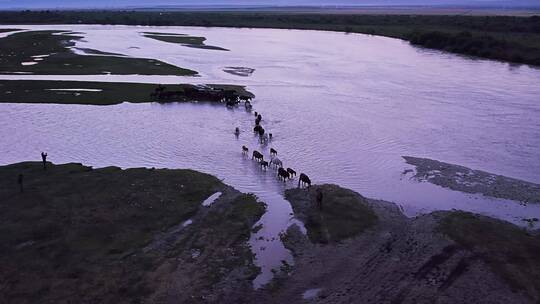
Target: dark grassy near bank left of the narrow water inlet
73 233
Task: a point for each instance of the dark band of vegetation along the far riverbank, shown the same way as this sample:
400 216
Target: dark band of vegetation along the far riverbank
506 38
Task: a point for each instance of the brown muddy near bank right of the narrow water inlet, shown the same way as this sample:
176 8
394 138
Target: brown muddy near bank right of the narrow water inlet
444 257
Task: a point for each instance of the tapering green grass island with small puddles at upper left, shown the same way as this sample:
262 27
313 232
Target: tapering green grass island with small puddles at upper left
48 52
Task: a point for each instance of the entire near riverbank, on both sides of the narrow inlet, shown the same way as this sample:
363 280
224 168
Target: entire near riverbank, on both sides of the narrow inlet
180 236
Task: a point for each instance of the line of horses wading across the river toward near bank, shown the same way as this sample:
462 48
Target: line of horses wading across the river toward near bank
275 162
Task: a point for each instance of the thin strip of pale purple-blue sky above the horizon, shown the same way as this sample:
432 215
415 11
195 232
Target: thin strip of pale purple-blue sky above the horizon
34 4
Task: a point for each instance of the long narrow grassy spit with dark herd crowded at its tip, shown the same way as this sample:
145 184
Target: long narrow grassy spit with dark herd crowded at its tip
109 93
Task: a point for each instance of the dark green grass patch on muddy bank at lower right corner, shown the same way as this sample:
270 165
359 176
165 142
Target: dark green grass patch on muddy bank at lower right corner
508 250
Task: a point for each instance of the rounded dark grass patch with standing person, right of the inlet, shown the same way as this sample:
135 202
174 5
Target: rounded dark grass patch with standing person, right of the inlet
344 213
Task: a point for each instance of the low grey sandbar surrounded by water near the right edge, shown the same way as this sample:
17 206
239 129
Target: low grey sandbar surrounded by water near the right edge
463 179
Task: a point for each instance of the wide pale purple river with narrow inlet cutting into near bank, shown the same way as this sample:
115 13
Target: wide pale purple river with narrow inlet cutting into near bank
343 108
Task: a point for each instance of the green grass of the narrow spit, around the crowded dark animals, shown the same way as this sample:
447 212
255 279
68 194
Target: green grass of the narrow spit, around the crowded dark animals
38 91
